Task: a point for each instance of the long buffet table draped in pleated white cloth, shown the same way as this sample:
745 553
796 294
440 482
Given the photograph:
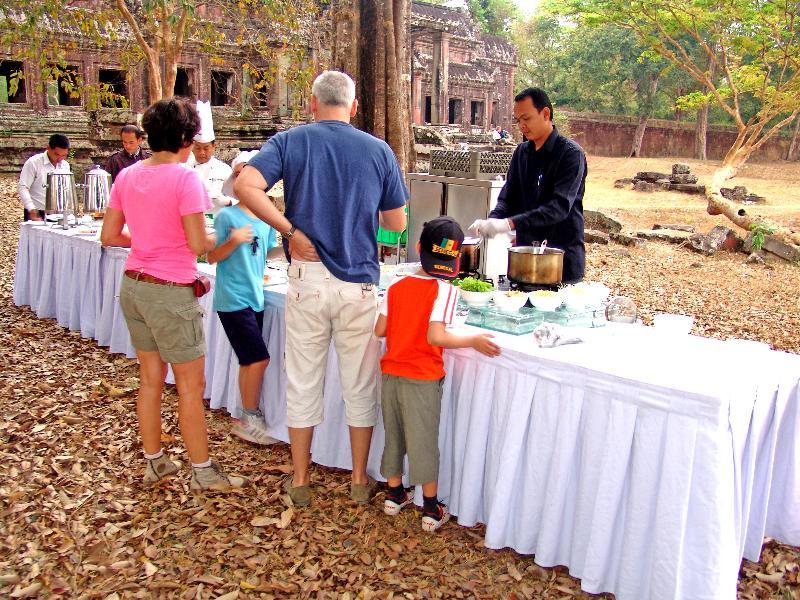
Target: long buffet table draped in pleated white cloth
648 464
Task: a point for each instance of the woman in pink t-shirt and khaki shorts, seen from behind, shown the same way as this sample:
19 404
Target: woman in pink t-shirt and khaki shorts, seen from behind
162 204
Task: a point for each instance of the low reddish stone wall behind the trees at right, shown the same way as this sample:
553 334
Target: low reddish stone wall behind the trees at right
612 135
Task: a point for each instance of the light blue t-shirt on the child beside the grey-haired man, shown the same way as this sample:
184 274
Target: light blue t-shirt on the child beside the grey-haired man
240 277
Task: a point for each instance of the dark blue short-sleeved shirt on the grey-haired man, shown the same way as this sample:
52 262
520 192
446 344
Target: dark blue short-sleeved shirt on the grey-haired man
335 181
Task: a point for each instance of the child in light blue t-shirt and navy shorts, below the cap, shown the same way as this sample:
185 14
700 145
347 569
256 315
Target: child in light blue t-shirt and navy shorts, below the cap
243 241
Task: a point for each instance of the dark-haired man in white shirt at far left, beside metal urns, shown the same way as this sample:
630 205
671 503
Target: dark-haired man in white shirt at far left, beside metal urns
33 178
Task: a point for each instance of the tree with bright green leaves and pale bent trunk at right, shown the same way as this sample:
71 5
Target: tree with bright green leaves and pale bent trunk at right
748 64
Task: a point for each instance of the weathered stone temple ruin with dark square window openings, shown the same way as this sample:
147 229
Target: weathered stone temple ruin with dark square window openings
461 79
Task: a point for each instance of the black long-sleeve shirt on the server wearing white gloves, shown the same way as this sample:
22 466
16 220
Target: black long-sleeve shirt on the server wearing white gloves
543 196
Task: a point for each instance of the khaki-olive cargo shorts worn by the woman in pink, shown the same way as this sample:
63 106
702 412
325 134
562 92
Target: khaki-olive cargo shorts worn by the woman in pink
163 318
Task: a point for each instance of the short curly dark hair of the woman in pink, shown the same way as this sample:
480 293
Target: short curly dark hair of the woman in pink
171 124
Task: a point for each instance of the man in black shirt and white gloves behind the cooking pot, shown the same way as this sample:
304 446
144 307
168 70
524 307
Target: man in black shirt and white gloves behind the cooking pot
543 194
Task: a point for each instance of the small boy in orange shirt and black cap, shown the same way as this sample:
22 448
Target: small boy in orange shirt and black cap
413 317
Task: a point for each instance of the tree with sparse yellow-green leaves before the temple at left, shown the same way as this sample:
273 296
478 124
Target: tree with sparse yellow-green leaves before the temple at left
265 33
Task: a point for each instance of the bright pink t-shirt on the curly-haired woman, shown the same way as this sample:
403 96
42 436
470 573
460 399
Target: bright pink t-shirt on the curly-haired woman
153 200
